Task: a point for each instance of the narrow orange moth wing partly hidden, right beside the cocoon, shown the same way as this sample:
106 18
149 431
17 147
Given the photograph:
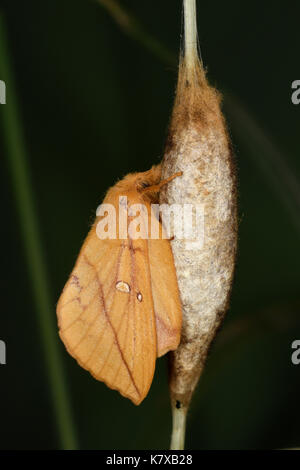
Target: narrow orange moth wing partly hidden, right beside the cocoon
166 297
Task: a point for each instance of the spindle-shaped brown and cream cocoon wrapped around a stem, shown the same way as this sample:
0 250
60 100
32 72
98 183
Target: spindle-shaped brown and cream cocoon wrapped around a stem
198 145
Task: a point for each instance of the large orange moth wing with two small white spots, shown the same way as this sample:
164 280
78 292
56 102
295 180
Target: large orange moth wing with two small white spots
106 314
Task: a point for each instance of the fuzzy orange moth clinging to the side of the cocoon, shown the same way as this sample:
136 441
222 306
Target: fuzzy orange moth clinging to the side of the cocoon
120 308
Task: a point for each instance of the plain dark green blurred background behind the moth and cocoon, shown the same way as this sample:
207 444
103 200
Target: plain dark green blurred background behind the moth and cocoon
94 105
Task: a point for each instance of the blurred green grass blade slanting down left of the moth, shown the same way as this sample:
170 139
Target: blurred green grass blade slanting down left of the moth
22 189
